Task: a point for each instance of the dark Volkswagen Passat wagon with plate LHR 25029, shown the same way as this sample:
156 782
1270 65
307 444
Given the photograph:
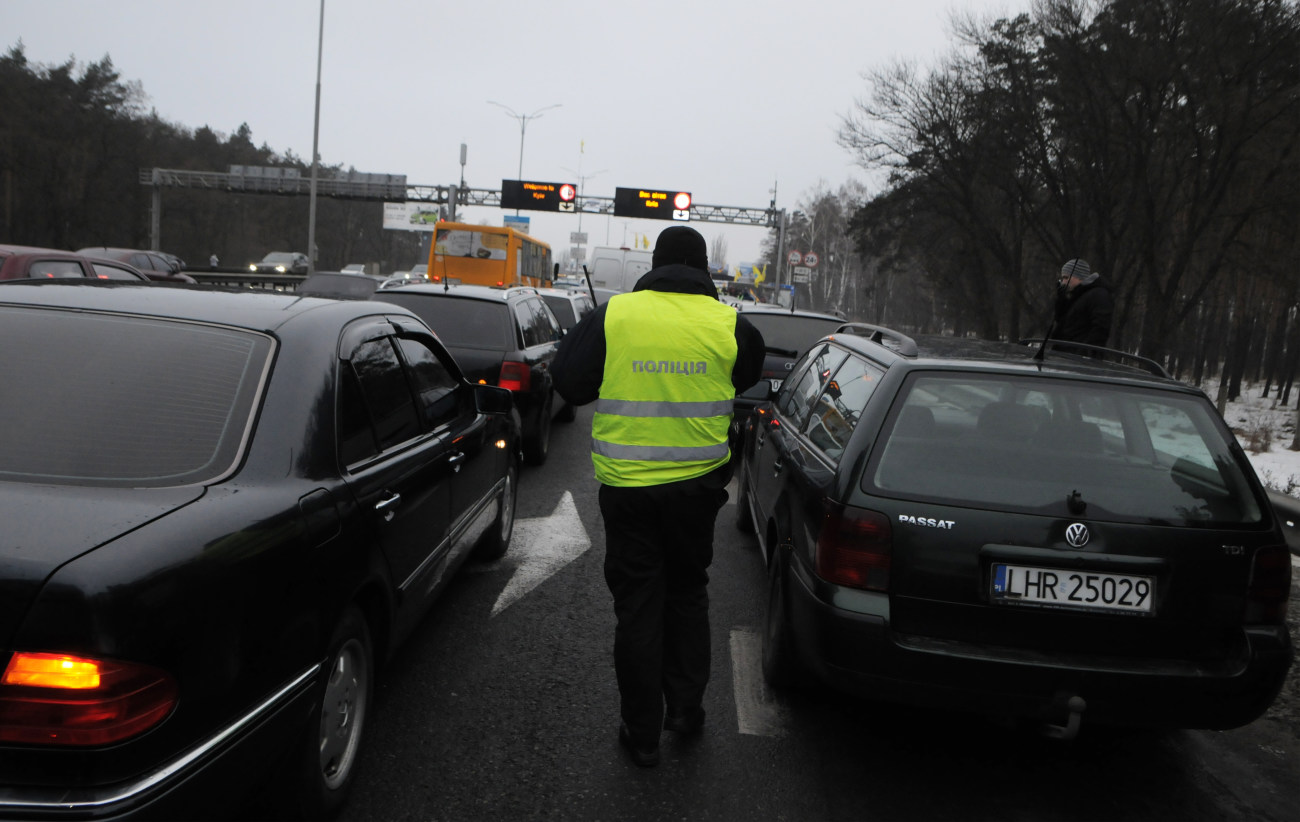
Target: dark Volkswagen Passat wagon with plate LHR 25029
1011 530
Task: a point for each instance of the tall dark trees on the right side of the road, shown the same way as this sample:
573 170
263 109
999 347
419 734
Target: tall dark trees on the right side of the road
1155 139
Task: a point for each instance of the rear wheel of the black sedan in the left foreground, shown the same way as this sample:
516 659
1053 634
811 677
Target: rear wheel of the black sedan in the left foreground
333 737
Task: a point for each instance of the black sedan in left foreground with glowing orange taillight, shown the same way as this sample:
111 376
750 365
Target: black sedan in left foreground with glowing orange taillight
223 510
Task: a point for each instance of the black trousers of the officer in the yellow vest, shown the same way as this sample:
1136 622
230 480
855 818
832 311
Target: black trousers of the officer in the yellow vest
658 546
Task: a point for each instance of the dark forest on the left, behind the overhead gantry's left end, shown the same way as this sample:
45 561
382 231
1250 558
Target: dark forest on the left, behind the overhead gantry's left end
73 141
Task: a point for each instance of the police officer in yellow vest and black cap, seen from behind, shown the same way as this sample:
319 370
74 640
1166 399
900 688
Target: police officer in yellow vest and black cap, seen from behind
664 365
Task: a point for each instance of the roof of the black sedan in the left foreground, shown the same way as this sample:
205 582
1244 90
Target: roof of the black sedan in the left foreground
254 310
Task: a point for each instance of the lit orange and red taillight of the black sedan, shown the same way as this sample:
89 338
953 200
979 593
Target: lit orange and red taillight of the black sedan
53 699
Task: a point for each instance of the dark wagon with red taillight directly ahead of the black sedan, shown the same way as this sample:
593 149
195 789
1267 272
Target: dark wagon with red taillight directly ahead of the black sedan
501 336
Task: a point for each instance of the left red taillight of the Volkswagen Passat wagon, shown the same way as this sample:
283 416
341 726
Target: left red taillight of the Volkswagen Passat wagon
855 548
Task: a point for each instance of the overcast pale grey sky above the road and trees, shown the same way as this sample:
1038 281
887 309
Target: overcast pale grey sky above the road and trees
722 98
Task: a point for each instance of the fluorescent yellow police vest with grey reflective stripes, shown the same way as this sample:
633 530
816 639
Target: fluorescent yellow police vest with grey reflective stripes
666 399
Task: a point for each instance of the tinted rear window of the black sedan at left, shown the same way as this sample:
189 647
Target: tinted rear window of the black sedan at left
124 401
